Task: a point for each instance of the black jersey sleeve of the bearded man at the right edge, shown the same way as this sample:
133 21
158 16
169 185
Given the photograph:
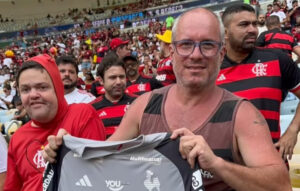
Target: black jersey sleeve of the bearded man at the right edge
290 73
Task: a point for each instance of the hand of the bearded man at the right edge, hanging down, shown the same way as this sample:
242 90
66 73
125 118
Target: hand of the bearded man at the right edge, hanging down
287 142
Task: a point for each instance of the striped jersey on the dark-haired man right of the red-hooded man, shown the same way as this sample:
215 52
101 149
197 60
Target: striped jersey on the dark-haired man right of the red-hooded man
110 113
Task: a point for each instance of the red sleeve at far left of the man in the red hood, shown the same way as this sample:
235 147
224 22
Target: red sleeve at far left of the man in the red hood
13 181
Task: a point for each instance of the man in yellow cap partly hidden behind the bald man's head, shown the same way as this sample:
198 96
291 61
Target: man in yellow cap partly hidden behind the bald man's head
164 71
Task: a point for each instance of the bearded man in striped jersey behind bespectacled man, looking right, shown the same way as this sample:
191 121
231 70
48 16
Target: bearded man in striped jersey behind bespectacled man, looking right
260 75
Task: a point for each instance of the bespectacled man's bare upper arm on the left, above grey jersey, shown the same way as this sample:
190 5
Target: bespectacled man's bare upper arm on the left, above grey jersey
129 126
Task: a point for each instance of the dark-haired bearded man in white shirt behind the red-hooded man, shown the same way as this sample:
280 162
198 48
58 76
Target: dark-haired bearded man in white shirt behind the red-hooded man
69 74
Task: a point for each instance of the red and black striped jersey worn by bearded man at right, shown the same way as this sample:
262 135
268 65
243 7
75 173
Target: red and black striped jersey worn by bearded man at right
262 78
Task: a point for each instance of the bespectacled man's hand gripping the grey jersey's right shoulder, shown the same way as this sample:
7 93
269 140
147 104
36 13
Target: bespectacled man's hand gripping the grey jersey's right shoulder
194 147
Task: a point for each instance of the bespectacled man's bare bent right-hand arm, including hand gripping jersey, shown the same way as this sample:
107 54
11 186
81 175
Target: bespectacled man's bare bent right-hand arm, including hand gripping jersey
263 170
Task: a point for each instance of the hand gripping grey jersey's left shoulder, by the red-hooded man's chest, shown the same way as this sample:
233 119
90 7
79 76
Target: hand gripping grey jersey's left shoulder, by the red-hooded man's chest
49 152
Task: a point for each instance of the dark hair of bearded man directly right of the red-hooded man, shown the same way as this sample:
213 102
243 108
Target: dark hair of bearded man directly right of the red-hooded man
108 61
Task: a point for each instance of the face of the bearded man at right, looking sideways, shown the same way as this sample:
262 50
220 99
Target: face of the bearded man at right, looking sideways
241 32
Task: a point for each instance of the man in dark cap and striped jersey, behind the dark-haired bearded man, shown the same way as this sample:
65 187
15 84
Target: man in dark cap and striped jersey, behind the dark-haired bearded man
137 83
